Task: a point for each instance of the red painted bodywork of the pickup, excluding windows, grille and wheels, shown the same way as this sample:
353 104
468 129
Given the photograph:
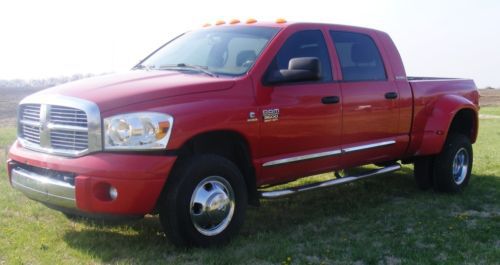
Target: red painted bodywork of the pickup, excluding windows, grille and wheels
200 104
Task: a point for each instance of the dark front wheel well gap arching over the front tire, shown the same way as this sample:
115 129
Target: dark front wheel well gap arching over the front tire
230 145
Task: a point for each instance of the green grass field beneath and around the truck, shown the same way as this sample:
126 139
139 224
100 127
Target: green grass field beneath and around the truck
381 220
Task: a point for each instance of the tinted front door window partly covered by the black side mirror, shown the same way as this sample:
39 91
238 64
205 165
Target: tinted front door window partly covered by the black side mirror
307 43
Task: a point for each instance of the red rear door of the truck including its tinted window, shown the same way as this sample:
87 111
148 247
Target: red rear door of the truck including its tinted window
370 102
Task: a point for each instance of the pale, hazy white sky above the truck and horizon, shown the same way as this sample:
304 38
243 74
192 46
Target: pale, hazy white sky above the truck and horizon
39 39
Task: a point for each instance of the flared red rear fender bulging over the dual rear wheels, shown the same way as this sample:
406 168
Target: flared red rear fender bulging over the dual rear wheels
429 138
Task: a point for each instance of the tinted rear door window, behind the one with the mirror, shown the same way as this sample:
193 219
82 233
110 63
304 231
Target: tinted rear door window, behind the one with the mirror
359 57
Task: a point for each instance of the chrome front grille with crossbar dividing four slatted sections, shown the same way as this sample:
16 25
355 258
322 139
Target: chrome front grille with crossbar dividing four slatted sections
58 127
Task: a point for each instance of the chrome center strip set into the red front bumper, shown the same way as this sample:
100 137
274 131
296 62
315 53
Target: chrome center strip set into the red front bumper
43 188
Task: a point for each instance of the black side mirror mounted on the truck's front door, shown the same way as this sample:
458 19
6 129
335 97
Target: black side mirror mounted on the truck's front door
300 69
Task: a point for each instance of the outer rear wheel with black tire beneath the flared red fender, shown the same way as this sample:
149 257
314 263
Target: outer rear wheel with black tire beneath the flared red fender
444 178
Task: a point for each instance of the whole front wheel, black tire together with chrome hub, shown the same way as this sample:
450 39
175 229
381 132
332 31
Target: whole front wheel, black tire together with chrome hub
204 202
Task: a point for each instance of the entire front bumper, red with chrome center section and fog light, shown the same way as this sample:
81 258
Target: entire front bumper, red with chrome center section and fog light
82 184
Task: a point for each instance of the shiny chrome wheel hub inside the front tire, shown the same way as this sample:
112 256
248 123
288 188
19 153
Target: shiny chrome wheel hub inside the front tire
212 205
